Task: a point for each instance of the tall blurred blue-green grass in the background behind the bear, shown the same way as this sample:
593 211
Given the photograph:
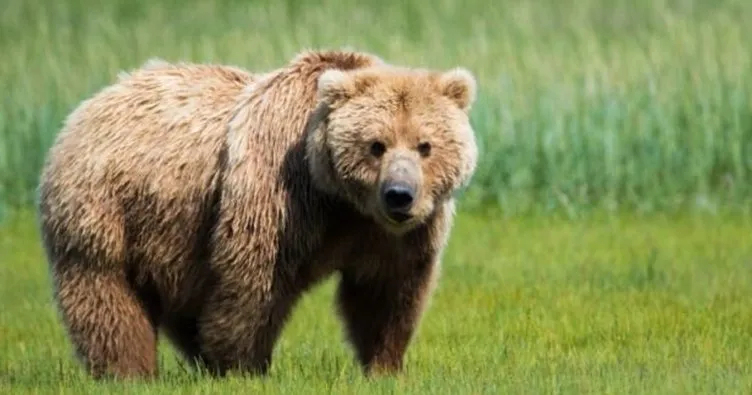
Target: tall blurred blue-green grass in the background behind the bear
627 104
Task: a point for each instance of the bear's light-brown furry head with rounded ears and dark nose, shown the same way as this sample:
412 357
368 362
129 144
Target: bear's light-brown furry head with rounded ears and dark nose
394 142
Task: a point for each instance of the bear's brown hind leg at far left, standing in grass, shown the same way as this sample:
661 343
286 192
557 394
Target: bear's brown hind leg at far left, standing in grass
112 332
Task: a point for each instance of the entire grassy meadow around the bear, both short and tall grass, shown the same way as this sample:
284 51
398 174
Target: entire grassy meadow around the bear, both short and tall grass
605 245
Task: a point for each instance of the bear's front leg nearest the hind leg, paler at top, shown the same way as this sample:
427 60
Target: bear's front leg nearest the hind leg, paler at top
250 296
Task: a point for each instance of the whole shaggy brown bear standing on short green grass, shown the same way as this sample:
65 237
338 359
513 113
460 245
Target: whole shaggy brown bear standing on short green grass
204 200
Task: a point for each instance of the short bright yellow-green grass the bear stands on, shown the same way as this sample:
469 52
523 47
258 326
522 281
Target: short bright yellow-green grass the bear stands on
620 305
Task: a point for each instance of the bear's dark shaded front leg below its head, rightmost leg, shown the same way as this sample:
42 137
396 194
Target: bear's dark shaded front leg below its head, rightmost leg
381 313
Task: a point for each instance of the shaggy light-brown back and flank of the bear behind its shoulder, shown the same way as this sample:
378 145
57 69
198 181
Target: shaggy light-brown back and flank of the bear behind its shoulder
137 163
